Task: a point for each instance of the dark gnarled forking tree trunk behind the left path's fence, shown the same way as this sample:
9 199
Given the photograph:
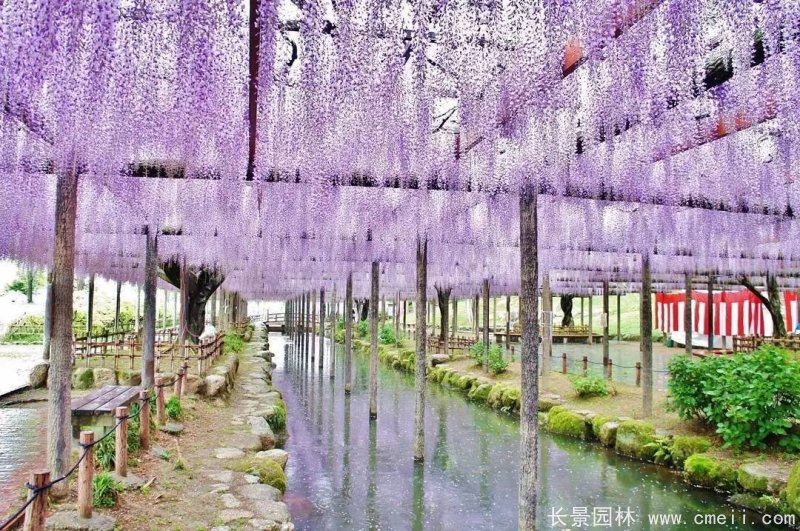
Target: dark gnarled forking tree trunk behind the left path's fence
201 282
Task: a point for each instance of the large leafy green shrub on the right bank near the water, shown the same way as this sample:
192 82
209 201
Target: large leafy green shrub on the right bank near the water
749 398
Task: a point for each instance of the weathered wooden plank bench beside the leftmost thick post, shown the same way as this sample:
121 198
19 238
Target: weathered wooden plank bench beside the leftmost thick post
95 411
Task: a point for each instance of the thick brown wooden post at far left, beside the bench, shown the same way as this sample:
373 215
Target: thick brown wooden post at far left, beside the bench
59 379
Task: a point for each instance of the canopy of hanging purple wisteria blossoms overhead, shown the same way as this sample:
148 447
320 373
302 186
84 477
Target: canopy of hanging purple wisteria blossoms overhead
292 142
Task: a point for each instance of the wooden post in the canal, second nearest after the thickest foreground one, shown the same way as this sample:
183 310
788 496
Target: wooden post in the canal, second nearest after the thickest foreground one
421 362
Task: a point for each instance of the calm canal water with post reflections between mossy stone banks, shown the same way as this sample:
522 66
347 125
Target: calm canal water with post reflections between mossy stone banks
345 472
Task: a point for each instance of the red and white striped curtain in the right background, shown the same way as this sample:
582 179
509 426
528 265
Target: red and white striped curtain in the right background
736 313
